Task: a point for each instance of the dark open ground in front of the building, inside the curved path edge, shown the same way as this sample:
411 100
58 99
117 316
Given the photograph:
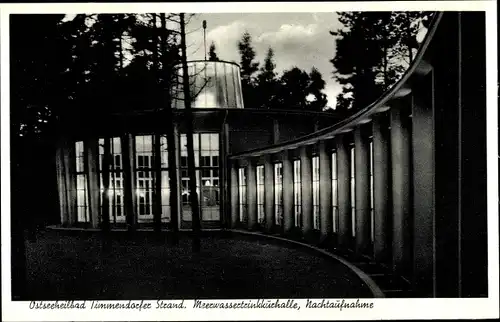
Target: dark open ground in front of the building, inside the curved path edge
60 266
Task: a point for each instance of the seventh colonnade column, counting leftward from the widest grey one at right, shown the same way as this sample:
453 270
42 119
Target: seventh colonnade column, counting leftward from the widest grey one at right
307 197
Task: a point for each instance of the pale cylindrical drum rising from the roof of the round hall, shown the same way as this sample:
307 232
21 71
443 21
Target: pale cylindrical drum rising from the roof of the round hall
214 84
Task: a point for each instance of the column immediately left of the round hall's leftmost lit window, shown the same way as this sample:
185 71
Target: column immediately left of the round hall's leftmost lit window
69 167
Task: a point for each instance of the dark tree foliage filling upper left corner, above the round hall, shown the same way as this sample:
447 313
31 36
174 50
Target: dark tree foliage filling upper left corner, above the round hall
96 63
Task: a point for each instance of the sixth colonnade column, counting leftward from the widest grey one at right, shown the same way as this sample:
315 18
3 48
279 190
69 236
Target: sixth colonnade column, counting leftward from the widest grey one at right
325 190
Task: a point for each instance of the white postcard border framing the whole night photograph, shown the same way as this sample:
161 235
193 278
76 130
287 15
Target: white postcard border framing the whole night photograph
383 308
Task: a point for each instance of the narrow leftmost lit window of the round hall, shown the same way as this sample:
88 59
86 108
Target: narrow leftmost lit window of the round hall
81 184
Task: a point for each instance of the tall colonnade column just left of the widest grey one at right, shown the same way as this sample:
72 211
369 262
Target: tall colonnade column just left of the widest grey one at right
401 202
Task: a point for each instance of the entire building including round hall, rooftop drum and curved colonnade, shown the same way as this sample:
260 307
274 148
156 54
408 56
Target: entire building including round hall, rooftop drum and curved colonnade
402 182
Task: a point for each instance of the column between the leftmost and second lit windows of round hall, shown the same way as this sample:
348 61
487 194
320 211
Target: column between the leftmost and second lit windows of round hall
92 156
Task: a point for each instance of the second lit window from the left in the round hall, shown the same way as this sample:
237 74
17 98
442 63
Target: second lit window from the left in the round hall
115 192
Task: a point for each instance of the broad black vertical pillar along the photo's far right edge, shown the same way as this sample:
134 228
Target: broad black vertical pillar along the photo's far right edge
473 241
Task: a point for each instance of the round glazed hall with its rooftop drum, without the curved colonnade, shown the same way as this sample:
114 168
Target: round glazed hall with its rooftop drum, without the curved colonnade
222 127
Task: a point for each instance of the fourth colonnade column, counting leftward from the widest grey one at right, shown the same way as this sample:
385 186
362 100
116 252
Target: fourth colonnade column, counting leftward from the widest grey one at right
362 186
